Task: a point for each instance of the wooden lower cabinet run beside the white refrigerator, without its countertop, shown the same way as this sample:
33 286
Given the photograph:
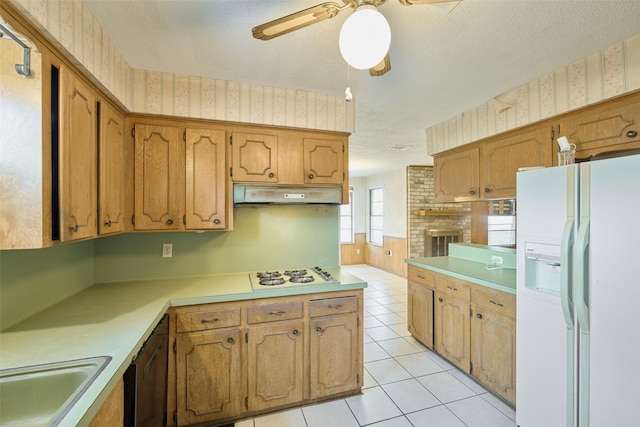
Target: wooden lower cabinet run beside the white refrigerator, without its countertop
472 326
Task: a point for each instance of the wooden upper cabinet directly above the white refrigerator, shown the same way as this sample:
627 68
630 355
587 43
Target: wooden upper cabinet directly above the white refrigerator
611 127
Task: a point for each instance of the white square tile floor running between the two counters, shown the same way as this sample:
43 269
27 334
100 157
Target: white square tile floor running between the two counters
405 383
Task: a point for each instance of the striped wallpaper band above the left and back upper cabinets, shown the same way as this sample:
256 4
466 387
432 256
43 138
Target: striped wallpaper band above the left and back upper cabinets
75 30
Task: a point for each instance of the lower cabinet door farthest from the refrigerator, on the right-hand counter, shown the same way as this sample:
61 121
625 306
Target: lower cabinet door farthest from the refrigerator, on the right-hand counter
420 313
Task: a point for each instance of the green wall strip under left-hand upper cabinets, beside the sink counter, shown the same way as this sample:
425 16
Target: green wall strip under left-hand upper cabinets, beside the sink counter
32 280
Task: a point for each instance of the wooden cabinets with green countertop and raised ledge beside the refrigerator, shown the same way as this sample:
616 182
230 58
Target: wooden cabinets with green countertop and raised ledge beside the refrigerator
463 307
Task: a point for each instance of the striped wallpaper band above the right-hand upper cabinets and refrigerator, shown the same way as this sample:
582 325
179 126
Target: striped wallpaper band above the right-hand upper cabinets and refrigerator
605 74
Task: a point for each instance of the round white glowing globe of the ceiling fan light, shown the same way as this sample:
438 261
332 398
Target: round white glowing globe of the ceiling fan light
365 38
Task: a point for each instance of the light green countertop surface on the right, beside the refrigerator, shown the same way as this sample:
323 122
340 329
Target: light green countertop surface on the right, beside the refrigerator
503 279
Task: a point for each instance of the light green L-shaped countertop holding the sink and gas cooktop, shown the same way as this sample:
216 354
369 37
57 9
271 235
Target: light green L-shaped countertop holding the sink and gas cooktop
114 319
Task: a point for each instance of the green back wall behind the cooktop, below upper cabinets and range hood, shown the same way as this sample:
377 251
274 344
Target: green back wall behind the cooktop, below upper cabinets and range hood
264 237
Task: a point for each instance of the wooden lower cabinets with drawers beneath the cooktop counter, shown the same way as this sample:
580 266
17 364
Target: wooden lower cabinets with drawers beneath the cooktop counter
237 359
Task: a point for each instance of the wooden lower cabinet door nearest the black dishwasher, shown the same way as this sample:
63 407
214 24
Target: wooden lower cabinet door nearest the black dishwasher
209 381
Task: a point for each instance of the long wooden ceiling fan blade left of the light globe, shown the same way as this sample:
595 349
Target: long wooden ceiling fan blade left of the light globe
297 20
